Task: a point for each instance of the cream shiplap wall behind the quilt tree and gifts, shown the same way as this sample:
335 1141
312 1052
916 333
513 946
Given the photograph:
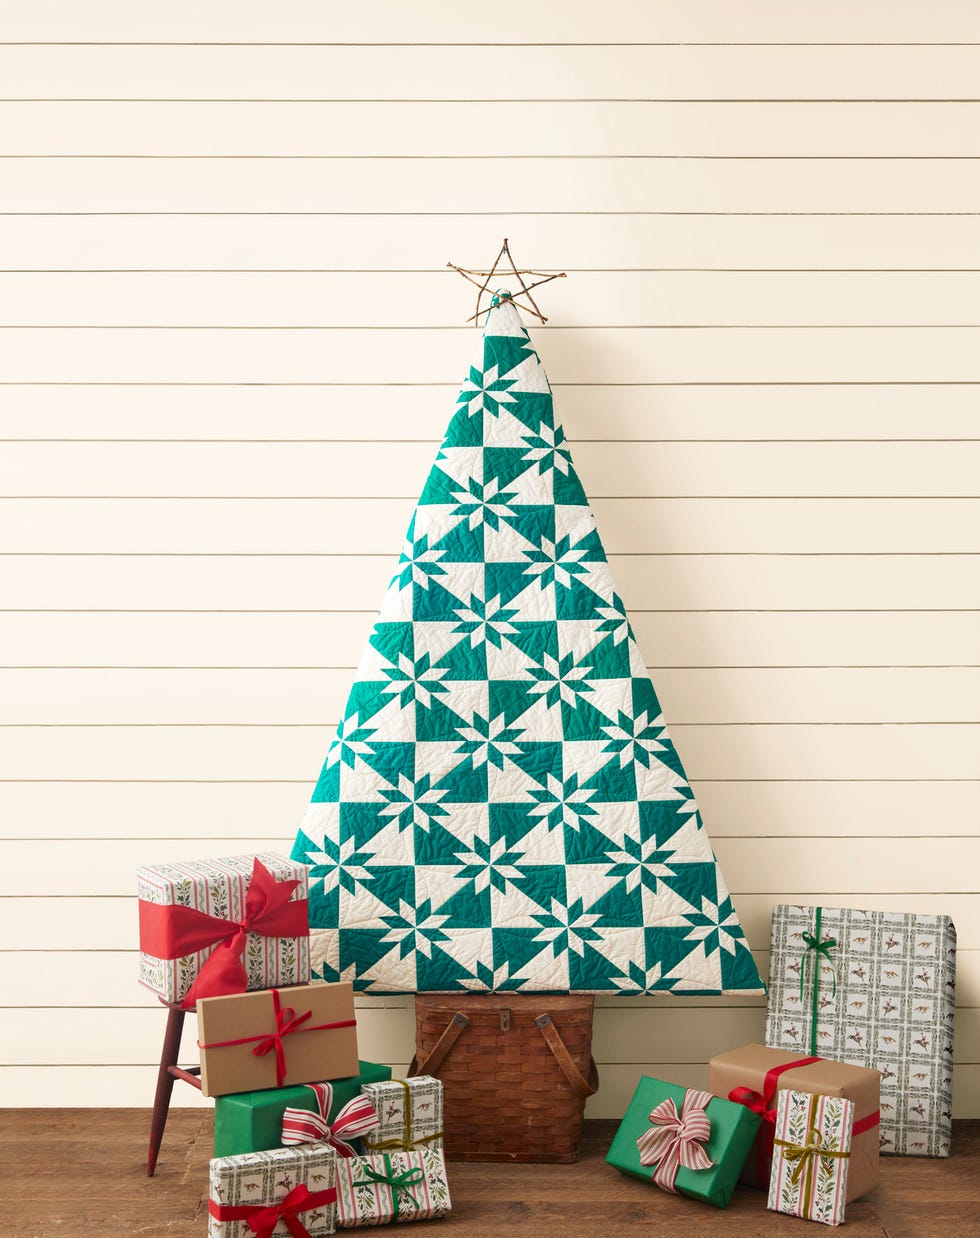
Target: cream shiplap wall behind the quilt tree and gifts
228 346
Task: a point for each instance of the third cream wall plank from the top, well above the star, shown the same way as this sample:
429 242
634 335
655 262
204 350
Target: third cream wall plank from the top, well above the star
502 128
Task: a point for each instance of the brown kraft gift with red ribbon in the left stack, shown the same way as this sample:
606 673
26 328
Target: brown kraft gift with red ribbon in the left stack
280 1037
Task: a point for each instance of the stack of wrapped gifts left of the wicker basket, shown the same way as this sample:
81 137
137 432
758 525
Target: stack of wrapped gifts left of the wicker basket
307 1137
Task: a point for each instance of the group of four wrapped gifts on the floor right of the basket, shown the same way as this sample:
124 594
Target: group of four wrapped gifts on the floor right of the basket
858 1063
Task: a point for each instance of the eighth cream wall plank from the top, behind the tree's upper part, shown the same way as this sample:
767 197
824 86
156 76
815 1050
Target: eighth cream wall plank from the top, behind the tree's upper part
338 413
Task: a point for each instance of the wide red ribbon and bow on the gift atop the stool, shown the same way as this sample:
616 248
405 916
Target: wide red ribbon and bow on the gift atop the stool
170 932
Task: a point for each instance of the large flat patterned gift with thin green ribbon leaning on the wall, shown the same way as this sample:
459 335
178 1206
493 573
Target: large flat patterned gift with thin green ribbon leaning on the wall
874 989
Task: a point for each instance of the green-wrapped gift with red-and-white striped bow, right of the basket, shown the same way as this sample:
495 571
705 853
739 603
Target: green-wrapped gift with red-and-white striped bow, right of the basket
684 1141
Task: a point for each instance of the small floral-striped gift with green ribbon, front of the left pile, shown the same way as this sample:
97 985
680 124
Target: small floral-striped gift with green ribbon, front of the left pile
392 1187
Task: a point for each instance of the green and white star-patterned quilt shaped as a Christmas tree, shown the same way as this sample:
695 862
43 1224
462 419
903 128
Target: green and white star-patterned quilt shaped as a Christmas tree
503 808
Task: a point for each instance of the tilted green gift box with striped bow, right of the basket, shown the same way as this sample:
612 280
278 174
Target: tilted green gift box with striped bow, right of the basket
733 1131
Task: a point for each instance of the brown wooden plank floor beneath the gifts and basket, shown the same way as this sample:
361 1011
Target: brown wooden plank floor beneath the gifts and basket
80 1173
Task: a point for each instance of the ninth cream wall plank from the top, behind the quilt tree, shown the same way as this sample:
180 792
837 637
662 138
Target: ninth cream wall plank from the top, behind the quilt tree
400 470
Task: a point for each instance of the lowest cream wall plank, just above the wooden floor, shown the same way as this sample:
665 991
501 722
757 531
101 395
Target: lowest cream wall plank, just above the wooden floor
133 1086
